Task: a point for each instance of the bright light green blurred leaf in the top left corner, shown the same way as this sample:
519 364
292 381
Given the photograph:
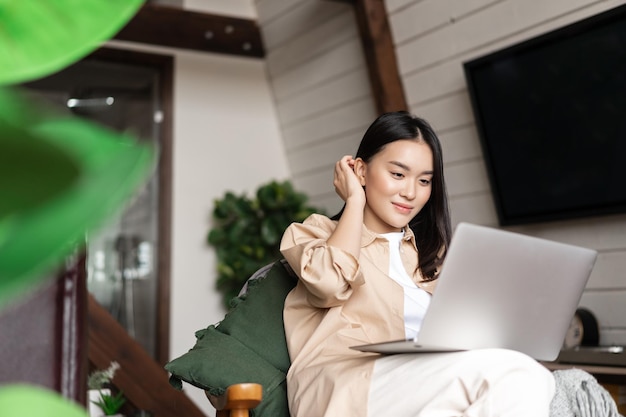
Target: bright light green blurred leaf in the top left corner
39 38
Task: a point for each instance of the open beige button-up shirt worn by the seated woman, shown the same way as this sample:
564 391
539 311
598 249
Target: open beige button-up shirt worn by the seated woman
339 302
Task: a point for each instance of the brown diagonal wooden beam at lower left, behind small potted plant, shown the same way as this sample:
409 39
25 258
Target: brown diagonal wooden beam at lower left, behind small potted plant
143 381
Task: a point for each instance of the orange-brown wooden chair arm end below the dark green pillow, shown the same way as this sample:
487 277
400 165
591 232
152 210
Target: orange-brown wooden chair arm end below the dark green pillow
237 400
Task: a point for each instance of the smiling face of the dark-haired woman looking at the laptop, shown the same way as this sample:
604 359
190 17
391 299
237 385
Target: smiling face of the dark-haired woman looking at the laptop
398 183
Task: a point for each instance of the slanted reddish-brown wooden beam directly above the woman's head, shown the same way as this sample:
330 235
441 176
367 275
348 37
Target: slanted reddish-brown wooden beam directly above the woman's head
380 55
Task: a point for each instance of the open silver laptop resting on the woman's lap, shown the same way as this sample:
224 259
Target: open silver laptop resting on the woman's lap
499 289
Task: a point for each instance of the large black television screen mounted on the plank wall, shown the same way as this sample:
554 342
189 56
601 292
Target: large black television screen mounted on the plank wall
551 117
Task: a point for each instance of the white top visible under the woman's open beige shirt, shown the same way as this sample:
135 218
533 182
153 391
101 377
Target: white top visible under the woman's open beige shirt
416 300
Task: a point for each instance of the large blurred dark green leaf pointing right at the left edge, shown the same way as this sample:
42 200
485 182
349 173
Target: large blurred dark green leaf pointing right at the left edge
45 212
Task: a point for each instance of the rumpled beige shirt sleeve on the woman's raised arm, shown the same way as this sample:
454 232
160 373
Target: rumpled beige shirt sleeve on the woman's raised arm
328 273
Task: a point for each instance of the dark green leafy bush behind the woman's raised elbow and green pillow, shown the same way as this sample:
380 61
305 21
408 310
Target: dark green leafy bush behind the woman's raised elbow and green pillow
246 231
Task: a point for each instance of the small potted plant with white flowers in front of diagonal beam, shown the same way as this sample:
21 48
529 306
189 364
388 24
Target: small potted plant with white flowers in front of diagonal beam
101 401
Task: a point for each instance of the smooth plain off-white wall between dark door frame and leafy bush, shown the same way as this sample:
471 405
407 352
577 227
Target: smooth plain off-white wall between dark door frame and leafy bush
226 137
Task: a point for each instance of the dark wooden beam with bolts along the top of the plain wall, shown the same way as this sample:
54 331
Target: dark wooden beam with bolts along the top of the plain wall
178 28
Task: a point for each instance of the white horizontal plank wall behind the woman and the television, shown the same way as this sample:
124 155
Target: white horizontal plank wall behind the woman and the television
324 104
